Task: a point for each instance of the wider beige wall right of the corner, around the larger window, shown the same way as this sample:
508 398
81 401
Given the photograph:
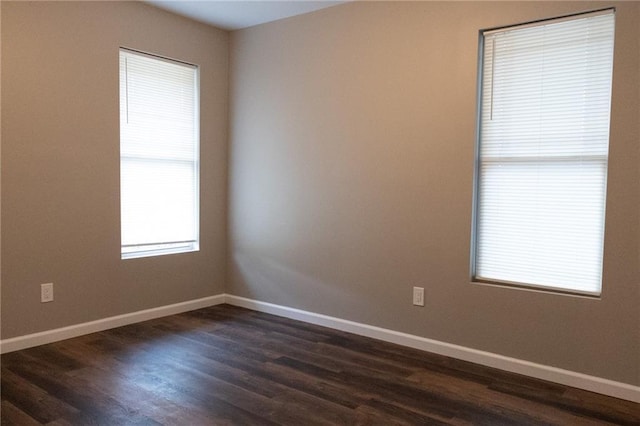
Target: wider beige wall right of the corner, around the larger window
352 140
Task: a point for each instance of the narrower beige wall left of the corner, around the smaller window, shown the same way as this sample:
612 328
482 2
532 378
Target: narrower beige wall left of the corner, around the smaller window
60 163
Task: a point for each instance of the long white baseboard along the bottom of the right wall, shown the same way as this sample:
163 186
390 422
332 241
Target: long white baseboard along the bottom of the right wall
557 375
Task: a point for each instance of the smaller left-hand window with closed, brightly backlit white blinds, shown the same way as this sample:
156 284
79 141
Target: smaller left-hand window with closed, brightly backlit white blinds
159 155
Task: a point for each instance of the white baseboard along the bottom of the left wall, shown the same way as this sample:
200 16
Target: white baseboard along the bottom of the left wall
55 335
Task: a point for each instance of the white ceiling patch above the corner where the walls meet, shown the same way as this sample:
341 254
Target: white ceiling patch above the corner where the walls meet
238 14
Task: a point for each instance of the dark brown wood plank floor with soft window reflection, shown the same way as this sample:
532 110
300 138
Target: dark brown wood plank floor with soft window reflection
230 366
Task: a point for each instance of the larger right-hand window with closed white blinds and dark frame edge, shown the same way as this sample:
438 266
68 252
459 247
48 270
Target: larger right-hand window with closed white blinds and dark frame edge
543 138
